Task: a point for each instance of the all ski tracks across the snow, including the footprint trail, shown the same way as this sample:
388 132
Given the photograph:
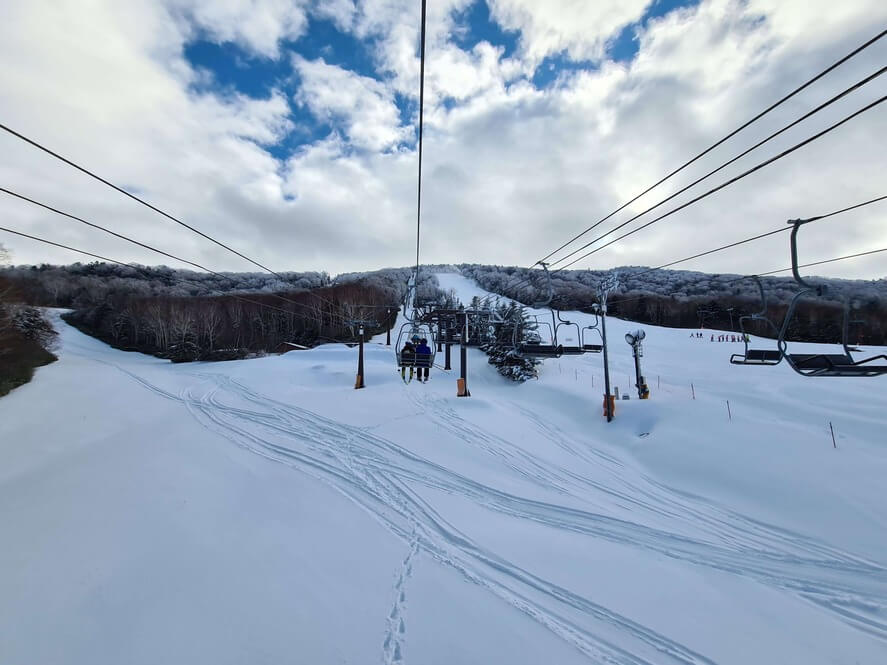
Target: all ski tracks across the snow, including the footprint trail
383 478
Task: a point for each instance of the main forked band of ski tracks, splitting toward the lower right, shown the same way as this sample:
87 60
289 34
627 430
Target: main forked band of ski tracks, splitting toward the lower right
379 475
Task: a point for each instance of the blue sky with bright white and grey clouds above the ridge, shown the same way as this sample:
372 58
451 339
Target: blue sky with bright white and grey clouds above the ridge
287 129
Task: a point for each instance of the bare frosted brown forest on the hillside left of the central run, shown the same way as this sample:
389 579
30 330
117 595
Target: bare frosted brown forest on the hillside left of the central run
184 316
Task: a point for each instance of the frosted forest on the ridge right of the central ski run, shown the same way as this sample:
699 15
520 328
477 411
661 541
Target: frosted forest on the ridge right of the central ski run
685 299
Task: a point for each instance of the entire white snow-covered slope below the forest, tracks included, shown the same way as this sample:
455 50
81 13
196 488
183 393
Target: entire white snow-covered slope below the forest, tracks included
264 511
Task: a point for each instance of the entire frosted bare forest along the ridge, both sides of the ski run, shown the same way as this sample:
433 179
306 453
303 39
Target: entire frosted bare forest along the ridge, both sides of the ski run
185 315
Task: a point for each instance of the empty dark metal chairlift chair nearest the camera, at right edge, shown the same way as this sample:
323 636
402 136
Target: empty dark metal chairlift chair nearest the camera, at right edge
823 364
